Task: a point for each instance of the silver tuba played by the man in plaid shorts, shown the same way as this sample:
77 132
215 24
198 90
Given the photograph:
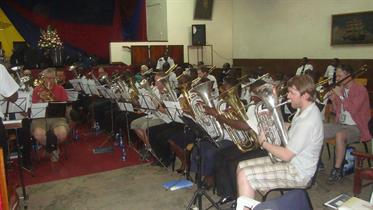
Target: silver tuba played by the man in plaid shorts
269 117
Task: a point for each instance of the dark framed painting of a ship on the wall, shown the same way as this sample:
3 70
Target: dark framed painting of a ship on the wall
353 28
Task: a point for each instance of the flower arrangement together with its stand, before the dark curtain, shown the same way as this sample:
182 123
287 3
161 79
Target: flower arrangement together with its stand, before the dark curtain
52 45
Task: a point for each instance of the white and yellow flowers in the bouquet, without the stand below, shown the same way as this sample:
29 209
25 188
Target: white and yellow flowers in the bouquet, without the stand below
49 38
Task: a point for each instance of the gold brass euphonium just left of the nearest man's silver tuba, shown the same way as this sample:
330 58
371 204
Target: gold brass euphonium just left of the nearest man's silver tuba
245 140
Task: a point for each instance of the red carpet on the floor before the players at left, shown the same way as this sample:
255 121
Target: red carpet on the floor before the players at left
81 160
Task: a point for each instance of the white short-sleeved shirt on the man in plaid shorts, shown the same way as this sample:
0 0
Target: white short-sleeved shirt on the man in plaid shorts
306 136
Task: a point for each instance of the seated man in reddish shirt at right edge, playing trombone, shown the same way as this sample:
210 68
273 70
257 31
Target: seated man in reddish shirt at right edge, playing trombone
351 104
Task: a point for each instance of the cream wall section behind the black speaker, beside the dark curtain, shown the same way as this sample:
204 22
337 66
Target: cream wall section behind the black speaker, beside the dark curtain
179 22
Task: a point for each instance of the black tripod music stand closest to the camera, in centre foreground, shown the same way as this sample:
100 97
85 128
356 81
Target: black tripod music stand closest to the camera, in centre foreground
201 135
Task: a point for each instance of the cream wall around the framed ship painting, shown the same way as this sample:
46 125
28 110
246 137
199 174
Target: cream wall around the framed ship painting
293 29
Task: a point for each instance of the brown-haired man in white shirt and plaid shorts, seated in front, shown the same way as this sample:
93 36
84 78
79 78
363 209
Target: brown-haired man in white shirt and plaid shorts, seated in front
299 157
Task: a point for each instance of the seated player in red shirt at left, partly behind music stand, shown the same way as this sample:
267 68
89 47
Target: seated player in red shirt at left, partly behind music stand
50 131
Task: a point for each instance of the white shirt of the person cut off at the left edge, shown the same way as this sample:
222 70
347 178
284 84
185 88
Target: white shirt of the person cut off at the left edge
8 85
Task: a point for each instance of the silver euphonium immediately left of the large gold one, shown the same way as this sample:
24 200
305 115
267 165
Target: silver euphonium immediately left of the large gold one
203 96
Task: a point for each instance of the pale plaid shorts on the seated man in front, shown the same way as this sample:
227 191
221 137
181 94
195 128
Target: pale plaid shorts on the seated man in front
263 175
